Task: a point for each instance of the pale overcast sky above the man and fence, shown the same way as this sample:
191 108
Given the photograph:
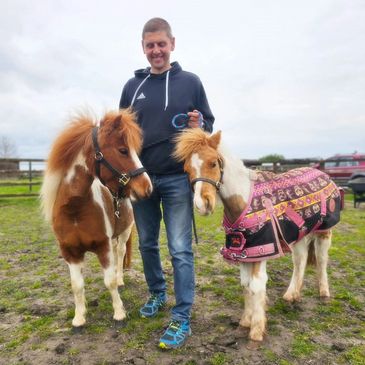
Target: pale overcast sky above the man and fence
284 76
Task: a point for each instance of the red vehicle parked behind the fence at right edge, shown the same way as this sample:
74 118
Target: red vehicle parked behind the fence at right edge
344 166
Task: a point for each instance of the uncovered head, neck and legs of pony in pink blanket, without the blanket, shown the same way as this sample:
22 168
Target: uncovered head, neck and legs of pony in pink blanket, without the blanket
212 169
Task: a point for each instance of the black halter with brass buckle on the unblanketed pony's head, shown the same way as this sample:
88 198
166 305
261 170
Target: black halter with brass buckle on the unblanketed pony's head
123 178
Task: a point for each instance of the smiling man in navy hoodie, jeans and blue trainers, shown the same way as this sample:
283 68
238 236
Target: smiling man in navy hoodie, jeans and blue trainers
162 95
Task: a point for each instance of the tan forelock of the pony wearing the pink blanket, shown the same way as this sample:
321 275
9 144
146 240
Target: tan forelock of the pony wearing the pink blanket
188 142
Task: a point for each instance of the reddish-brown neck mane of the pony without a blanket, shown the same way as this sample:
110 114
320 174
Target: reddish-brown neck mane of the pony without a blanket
69 143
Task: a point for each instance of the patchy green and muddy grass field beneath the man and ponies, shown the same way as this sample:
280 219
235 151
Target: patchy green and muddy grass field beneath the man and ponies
36 304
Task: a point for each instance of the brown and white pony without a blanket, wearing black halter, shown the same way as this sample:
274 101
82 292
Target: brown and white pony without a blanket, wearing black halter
90 212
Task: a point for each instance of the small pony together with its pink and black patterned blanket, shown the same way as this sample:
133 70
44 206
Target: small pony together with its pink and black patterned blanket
265 215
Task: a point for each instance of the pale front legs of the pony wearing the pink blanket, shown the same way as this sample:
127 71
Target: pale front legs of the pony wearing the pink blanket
254 277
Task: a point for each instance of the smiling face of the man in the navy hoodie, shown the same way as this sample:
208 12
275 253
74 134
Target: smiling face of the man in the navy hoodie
157 47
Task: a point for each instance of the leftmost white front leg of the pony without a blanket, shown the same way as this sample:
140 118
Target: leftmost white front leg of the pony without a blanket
77 284
